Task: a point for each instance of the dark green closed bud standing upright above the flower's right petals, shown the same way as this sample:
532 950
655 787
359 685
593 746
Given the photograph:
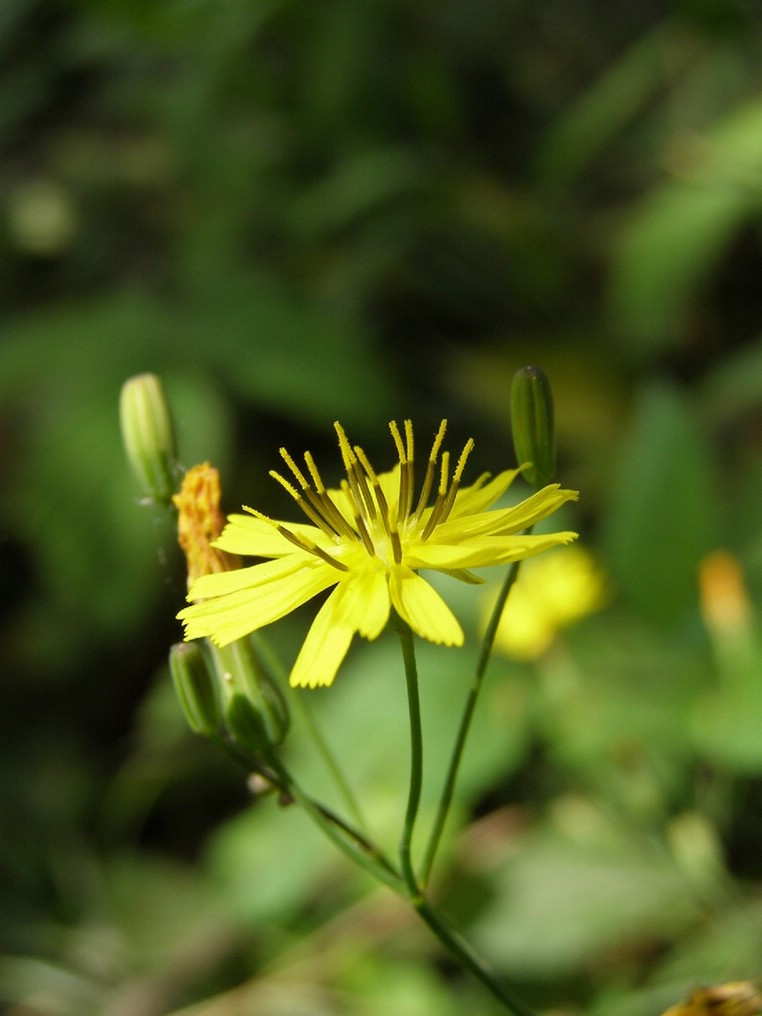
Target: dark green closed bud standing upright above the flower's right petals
533 426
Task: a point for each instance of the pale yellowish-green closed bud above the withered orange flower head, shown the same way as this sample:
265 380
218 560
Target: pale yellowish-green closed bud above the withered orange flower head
149 435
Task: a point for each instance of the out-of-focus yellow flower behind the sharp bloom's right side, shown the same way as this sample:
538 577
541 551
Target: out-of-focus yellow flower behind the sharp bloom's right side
550 595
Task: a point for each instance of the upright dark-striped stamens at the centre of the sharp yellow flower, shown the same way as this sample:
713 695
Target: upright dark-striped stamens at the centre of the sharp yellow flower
382 526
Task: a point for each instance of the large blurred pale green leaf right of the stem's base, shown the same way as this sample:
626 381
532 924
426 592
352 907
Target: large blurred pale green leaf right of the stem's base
564 903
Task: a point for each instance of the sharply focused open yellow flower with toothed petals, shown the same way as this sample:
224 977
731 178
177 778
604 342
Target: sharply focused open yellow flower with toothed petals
368 539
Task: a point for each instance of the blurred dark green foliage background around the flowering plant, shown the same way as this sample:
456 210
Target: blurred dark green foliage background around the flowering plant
299 212
